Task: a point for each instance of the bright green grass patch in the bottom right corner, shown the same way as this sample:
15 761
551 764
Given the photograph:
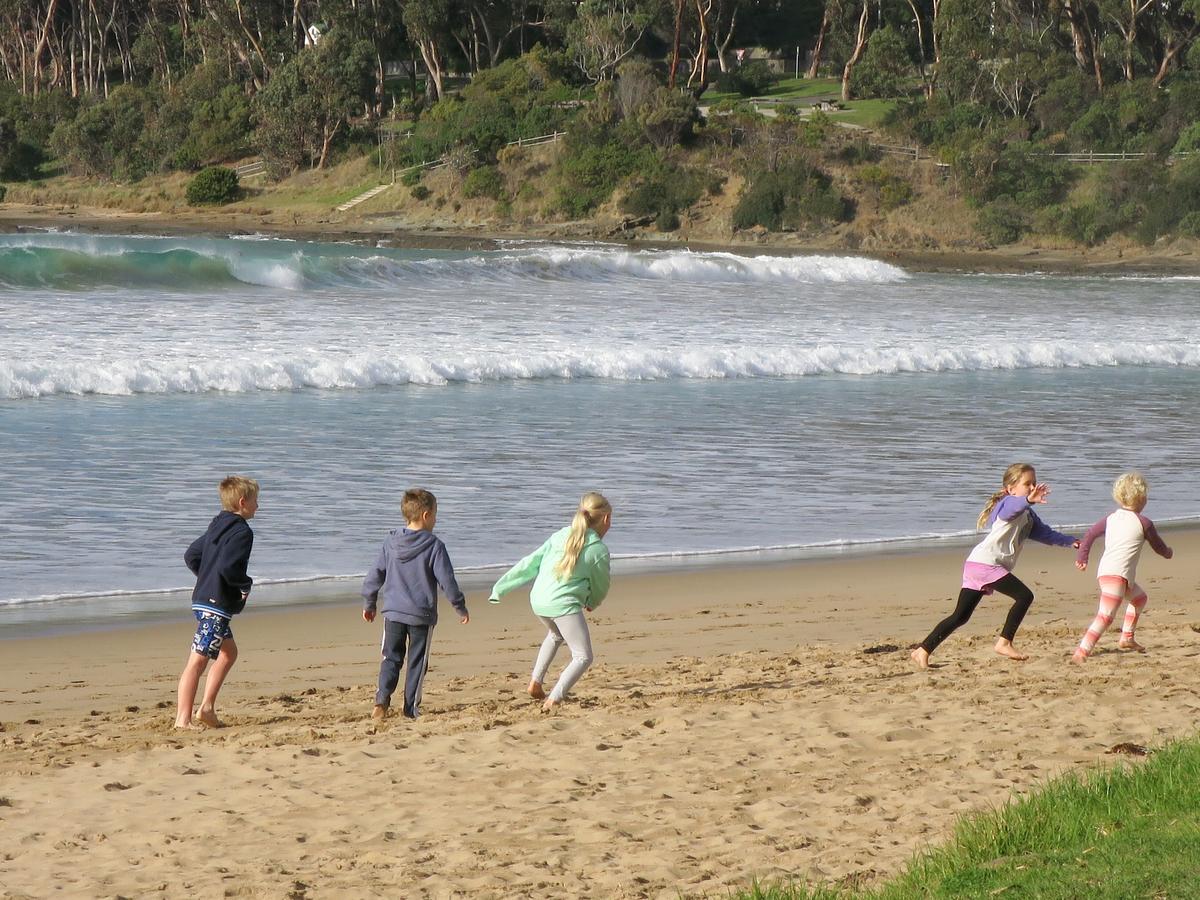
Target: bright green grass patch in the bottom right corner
1129 832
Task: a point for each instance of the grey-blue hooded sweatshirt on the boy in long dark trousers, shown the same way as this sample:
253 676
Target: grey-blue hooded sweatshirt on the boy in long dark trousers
411 567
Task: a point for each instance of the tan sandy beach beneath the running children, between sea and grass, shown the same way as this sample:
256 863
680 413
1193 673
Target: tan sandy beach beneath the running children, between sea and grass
735 727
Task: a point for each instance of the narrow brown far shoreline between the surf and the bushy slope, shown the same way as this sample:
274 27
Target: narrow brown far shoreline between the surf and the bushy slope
1013 260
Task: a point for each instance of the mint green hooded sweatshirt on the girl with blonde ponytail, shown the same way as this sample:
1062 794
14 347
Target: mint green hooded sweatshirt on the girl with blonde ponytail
585 589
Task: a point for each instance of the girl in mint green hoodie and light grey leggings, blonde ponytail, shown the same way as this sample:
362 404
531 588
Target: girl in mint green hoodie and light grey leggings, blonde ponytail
571 575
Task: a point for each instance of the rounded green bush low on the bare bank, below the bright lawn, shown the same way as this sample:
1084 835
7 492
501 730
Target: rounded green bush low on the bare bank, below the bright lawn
796 196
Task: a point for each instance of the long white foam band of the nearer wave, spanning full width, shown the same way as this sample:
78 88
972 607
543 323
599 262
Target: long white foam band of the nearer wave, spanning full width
315 370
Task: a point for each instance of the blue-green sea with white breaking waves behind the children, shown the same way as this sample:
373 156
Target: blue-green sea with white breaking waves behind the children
758 404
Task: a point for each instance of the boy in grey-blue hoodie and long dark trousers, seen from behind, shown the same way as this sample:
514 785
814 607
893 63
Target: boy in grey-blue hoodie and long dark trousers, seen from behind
411 567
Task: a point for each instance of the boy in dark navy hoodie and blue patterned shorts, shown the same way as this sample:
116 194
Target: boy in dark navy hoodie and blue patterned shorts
218 560
